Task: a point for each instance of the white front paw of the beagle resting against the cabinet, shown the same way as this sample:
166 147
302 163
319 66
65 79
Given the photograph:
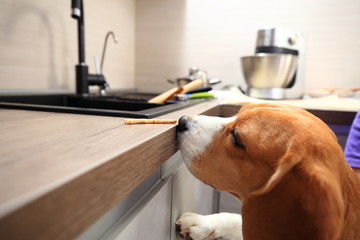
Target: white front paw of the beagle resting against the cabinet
199 227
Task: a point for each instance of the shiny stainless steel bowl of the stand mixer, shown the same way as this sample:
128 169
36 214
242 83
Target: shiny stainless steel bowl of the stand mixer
267 70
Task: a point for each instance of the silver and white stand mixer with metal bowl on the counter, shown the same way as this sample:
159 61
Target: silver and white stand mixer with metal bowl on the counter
276 70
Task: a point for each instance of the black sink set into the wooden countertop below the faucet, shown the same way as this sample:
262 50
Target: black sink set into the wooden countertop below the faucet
132 105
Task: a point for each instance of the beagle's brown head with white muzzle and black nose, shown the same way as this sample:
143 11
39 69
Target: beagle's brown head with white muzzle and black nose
250 152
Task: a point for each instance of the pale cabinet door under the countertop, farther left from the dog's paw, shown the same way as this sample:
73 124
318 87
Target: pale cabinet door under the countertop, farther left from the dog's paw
150 219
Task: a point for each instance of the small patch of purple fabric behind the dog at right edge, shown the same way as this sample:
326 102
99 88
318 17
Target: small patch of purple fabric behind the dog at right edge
352 148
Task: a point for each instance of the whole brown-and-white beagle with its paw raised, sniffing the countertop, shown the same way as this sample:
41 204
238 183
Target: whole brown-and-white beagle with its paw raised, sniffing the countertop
286 167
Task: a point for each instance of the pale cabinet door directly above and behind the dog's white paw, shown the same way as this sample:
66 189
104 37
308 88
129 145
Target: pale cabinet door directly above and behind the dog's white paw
190 195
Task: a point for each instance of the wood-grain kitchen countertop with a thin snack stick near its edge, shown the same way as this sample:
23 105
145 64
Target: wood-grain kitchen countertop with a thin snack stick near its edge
60 172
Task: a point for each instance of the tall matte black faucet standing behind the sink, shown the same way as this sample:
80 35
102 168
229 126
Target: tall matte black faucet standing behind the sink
83 78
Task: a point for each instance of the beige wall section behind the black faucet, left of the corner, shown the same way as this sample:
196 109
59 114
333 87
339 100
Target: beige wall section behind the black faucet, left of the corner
38 42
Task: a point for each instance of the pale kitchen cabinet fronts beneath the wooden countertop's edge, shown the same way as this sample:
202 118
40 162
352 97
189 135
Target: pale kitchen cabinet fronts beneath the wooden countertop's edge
150 211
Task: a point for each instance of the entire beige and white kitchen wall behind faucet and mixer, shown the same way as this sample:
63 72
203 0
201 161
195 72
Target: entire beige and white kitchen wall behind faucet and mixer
160 39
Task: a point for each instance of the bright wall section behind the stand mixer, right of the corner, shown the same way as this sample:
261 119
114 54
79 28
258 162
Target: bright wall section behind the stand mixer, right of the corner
172 36
